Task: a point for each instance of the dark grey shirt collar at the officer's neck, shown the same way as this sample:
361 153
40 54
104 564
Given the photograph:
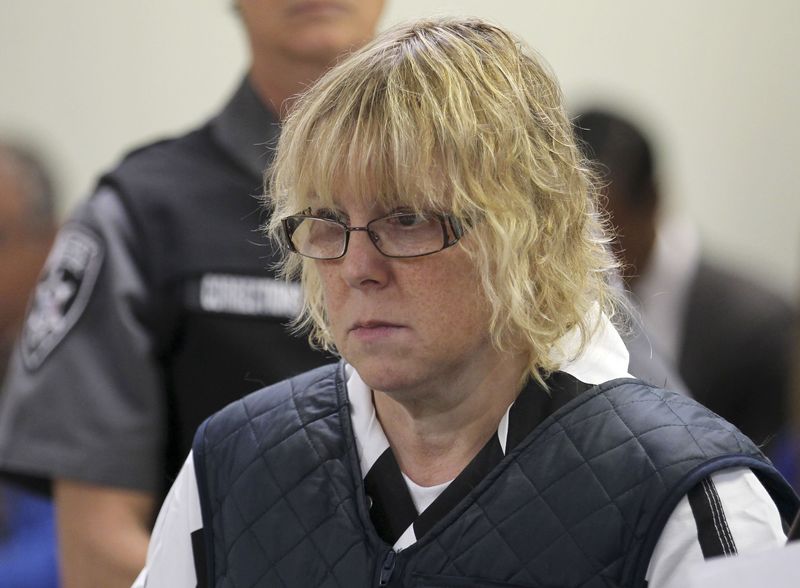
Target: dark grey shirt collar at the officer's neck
247 129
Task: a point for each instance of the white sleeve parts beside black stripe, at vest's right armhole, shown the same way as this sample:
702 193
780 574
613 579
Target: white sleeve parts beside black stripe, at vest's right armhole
743 506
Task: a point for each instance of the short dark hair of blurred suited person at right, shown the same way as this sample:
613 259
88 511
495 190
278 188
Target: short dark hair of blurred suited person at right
623 152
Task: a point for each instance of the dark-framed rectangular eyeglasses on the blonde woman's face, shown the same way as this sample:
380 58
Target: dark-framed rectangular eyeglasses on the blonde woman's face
400 234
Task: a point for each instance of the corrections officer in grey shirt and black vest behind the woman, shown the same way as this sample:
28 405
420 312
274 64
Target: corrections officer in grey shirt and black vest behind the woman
157 306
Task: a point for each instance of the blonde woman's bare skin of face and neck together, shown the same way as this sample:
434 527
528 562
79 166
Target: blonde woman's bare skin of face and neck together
439 386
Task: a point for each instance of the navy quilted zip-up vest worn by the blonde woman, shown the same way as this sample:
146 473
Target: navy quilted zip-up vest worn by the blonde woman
580 502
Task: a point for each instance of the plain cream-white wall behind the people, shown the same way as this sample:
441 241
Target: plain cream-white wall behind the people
716 81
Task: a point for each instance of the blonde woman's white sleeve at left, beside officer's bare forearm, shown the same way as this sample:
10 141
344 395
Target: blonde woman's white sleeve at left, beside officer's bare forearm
170 557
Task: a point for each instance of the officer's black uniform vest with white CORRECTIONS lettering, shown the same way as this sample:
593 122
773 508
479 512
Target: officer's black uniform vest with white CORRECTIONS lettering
196 216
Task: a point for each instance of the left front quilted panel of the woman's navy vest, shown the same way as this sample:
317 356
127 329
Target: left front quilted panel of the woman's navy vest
286 512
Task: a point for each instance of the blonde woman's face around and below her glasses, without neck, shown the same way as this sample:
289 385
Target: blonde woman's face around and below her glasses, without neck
405 324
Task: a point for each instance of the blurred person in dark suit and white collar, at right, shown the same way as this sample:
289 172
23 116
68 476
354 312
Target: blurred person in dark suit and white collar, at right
728 336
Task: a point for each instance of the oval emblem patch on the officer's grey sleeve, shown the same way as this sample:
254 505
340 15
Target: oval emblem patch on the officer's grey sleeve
61 295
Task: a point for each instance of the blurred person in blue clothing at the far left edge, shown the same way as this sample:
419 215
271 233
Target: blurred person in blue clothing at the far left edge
27 227
